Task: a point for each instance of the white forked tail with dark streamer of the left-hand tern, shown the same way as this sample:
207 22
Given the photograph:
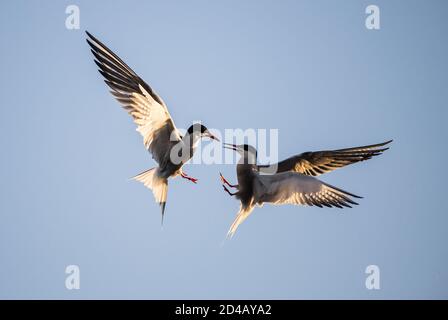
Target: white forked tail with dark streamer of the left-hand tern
159 186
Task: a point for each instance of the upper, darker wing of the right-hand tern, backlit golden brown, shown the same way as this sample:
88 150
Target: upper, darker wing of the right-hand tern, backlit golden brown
317 163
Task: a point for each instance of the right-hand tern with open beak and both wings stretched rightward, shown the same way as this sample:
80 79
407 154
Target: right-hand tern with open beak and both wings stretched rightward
292 181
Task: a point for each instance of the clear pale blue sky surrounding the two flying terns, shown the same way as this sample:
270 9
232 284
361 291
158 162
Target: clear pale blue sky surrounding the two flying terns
307 68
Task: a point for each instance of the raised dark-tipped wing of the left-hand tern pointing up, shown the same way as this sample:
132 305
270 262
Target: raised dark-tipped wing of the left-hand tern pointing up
148 110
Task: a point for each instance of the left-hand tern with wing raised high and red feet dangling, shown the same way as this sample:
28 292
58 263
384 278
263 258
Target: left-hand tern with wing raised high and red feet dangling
160 136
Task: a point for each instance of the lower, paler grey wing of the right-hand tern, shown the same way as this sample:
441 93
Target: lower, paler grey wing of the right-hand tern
296 188
